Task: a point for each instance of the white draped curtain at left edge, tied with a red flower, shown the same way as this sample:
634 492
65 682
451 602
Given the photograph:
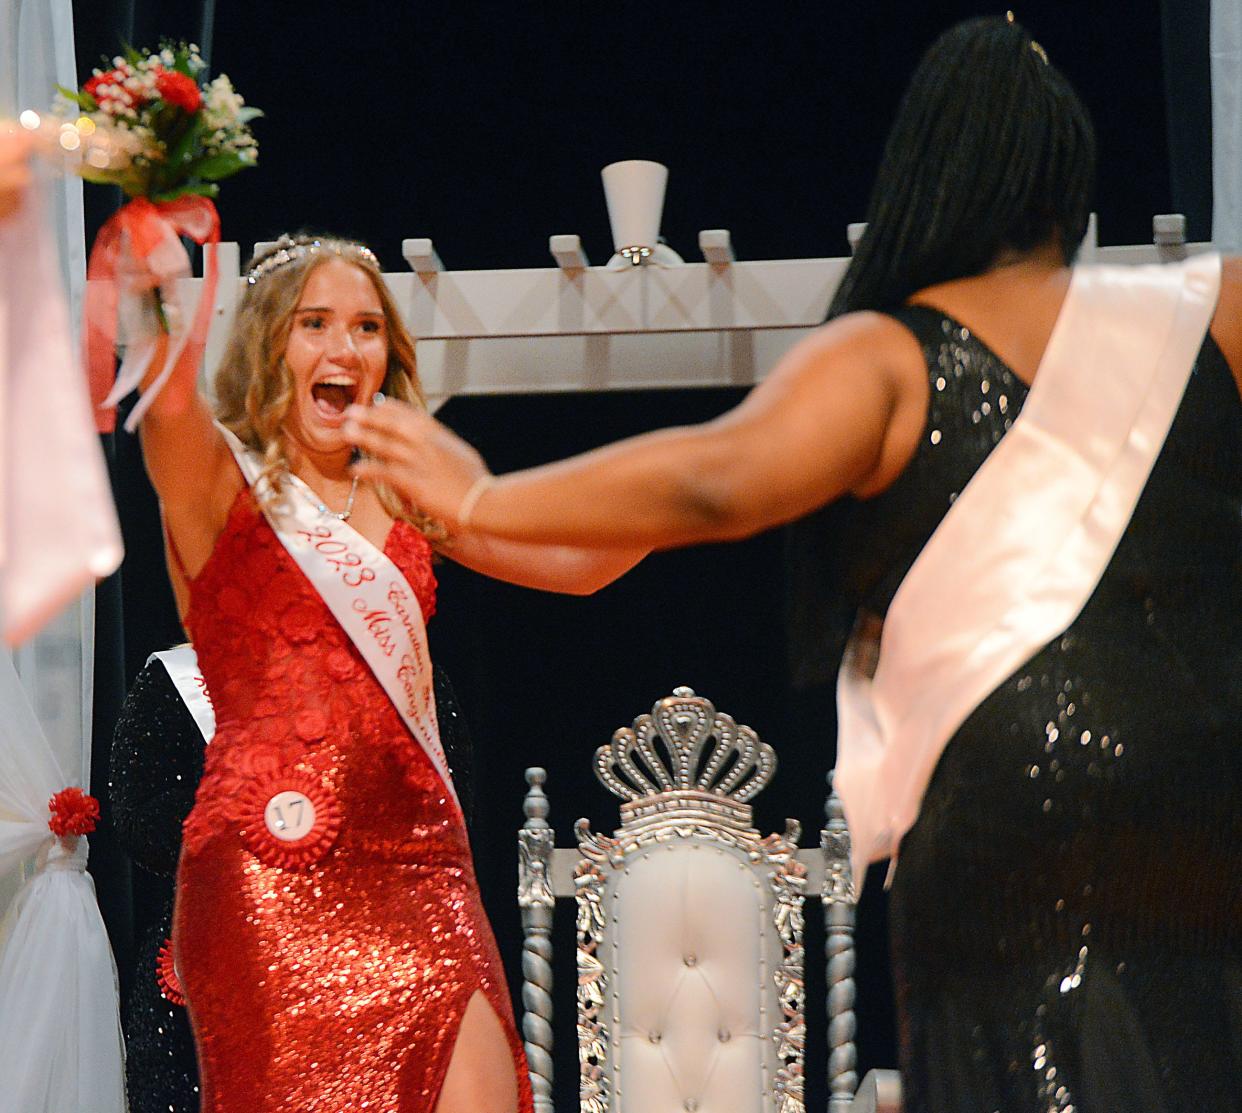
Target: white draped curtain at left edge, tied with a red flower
60 1035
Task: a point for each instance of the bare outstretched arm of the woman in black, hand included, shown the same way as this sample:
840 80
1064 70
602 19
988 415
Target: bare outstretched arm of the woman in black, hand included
843 413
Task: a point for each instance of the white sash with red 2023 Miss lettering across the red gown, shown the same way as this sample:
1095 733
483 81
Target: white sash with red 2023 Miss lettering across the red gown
367 594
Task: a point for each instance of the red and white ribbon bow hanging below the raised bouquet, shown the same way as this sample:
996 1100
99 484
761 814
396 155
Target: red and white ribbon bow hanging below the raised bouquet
138 252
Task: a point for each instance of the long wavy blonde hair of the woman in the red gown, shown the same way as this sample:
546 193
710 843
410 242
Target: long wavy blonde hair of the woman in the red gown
254 386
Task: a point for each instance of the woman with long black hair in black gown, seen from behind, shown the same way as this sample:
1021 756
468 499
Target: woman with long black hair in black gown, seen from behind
1067 909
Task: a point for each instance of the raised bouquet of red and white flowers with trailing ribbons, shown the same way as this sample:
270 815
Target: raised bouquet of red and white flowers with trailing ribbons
155 129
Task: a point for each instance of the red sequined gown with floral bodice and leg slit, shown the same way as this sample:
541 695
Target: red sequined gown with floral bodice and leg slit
337 986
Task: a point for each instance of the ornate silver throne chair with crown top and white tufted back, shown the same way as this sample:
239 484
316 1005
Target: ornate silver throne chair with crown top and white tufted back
690 929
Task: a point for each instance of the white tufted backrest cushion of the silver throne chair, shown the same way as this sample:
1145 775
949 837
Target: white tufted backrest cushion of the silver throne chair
690 982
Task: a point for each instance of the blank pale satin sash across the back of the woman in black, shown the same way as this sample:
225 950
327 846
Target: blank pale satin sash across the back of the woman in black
1020 552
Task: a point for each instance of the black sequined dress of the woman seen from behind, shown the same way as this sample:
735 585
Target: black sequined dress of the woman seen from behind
1066 915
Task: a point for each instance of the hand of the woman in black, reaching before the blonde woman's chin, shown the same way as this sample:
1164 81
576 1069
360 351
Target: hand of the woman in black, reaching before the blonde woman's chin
418 458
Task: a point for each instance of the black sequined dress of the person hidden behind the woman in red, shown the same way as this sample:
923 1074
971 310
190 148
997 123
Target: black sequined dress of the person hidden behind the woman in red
156 766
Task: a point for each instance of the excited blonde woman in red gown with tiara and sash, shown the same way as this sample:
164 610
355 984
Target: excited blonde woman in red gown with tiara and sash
329 931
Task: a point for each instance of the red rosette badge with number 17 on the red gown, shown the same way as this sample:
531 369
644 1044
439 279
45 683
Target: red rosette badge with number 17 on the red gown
291 819
